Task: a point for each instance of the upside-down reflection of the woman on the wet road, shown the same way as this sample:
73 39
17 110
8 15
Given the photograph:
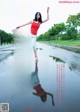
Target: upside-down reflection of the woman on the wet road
39 91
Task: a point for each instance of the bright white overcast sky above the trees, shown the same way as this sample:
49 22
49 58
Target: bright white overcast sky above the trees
17 12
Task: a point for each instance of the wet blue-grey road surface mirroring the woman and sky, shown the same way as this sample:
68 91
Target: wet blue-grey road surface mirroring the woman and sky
57 73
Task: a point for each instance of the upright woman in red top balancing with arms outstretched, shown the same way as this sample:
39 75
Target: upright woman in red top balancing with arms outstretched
35 24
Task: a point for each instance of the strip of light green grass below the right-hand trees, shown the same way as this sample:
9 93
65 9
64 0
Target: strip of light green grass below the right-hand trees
65 42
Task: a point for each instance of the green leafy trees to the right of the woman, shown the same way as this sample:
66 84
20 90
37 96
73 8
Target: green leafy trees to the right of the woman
61 31
